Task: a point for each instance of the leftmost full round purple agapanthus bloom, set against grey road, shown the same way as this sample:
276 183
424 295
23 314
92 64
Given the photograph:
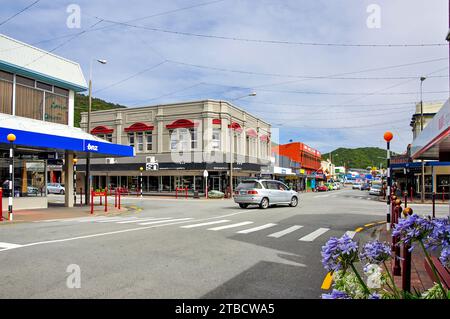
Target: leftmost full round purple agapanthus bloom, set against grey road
338 253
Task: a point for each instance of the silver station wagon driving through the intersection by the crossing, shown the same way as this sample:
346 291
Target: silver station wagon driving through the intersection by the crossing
264 193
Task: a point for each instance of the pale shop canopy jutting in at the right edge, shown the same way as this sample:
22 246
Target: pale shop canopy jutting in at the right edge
435 137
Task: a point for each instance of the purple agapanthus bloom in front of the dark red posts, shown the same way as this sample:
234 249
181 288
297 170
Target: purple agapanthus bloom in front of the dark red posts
413 228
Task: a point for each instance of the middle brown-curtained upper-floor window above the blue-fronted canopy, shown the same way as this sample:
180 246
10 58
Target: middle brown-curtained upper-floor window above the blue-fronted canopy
29 102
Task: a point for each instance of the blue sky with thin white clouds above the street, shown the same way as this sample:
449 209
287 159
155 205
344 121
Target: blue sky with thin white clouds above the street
321 69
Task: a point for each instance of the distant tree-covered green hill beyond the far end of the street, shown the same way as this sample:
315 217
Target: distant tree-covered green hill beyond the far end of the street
358 157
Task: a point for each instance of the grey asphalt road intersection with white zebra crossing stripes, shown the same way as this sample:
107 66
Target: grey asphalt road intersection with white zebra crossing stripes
171 248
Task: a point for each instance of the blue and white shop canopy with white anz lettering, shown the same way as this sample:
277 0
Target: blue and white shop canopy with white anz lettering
37 134
